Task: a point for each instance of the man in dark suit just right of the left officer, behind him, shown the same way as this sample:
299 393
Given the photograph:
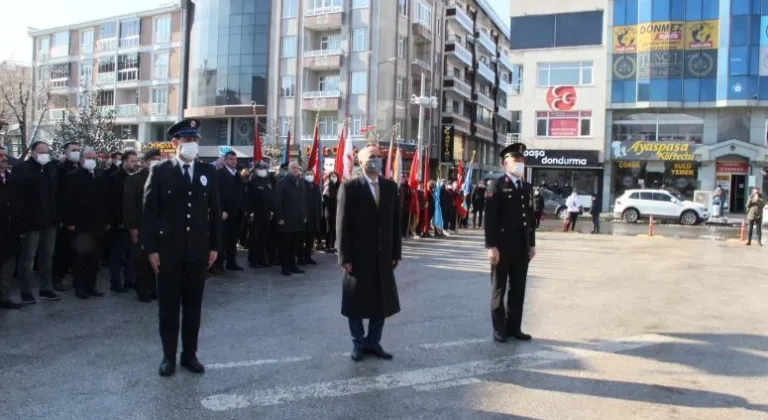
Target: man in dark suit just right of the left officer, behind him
232 193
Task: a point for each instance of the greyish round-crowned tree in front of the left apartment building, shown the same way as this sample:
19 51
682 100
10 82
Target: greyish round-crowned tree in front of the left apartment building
90 125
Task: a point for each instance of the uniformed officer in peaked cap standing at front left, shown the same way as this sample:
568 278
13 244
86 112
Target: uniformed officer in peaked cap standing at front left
181 233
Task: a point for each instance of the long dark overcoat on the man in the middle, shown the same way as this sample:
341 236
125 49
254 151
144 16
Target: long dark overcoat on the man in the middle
368 238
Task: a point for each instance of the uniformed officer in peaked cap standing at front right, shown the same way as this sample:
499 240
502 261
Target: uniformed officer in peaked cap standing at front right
510 237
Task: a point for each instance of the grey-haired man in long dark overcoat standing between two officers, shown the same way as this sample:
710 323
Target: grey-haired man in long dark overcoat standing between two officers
369 244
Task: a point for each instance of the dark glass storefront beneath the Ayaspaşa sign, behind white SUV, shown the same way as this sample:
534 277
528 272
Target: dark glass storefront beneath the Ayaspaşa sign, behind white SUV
677 177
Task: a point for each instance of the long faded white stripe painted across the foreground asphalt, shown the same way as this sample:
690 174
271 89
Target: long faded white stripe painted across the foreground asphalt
421 377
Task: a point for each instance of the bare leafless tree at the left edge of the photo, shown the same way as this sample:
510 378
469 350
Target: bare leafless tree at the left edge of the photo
17 100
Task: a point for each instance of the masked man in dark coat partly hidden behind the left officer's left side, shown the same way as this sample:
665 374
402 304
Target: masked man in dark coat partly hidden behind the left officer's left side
133 195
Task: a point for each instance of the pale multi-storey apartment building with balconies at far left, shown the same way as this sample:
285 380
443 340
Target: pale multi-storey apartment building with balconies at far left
131 65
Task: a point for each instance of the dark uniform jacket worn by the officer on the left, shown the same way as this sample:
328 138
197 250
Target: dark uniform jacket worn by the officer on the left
181 221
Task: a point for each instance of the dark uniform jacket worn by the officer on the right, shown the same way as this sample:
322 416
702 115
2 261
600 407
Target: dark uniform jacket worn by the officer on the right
509 218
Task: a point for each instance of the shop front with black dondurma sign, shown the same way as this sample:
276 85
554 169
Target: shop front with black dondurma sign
563 170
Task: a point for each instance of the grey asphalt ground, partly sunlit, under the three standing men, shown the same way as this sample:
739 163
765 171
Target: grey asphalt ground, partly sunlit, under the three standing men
624 328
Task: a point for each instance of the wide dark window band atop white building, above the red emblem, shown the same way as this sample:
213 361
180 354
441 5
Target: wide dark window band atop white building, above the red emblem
557 30
